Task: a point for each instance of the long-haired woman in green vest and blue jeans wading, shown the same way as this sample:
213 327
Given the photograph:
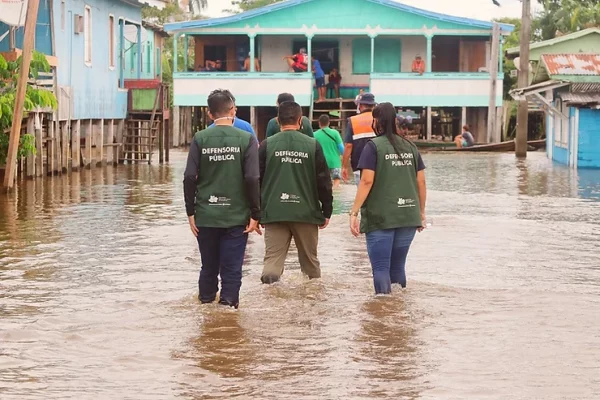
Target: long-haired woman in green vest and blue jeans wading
391 198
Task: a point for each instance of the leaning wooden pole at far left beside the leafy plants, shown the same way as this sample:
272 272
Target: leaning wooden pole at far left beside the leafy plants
15 132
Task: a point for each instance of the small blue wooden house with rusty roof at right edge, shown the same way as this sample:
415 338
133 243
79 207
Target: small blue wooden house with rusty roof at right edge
569 94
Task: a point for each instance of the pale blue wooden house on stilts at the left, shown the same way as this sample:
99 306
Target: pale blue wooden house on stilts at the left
95 47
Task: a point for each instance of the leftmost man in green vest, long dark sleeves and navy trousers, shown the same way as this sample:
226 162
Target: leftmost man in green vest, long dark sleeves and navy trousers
222 199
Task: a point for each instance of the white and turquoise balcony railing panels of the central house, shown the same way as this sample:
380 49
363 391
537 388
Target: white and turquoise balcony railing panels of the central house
433 89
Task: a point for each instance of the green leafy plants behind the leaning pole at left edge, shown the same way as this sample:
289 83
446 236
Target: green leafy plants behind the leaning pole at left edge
34 98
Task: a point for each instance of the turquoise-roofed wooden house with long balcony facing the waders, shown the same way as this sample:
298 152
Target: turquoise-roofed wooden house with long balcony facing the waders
373 44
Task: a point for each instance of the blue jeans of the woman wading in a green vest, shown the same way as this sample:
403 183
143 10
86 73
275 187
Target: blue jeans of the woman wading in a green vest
388 249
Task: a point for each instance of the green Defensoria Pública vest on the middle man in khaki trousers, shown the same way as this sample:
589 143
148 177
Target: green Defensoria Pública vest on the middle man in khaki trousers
289 186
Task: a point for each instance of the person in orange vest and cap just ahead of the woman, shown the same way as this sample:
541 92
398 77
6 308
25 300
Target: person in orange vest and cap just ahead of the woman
358 132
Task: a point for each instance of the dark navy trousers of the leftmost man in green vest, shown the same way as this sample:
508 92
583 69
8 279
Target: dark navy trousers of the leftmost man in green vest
222 251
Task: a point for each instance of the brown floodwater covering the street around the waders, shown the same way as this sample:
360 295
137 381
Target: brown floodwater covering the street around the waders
98 286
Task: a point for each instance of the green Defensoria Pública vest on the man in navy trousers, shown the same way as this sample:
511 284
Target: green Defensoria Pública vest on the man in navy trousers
221 200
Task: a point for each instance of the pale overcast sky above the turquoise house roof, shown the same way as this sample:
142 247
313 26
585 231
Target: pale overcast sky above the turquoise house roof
478 9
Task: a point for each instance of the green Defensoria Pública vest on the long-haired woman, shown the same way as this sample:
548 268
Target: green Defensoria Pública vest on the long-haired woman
394 198
